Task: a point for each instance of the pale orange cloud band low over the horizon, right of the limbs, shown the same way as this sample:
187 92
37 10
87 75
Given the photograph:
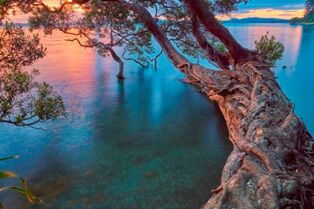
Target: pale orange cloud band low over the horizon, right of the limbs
265 13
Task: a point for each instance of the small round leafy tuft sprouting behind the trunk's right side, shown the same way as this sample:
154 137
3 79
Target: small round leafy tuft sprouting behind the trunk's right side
269 49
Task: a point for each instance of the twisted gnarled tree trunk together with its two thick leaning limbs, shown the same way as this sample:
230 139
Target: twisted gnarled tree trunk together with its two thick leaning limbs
272 164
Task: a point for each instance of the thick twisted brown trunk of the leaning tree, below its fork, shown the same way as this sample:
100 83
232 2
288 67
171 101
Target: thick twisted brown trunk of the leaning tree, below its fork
271 165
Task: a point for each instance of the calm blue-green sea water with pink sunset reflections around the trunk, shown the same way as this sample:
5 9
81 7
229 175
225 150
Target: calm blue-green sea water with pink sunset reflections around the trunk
146 143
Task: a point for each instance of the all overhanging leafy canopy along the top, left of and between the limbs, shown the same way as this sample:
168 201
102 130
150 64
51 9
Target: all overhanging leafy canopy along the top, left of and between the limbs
108 24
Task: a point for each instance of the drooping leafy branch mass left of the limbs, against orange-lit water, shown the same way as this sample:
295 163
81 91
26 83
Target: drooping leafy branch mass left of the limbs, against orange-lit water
114 25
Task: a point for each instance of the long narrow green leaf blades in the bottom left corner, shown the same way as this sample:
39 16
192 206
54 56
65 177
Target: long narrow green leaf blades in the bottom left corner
22 189
